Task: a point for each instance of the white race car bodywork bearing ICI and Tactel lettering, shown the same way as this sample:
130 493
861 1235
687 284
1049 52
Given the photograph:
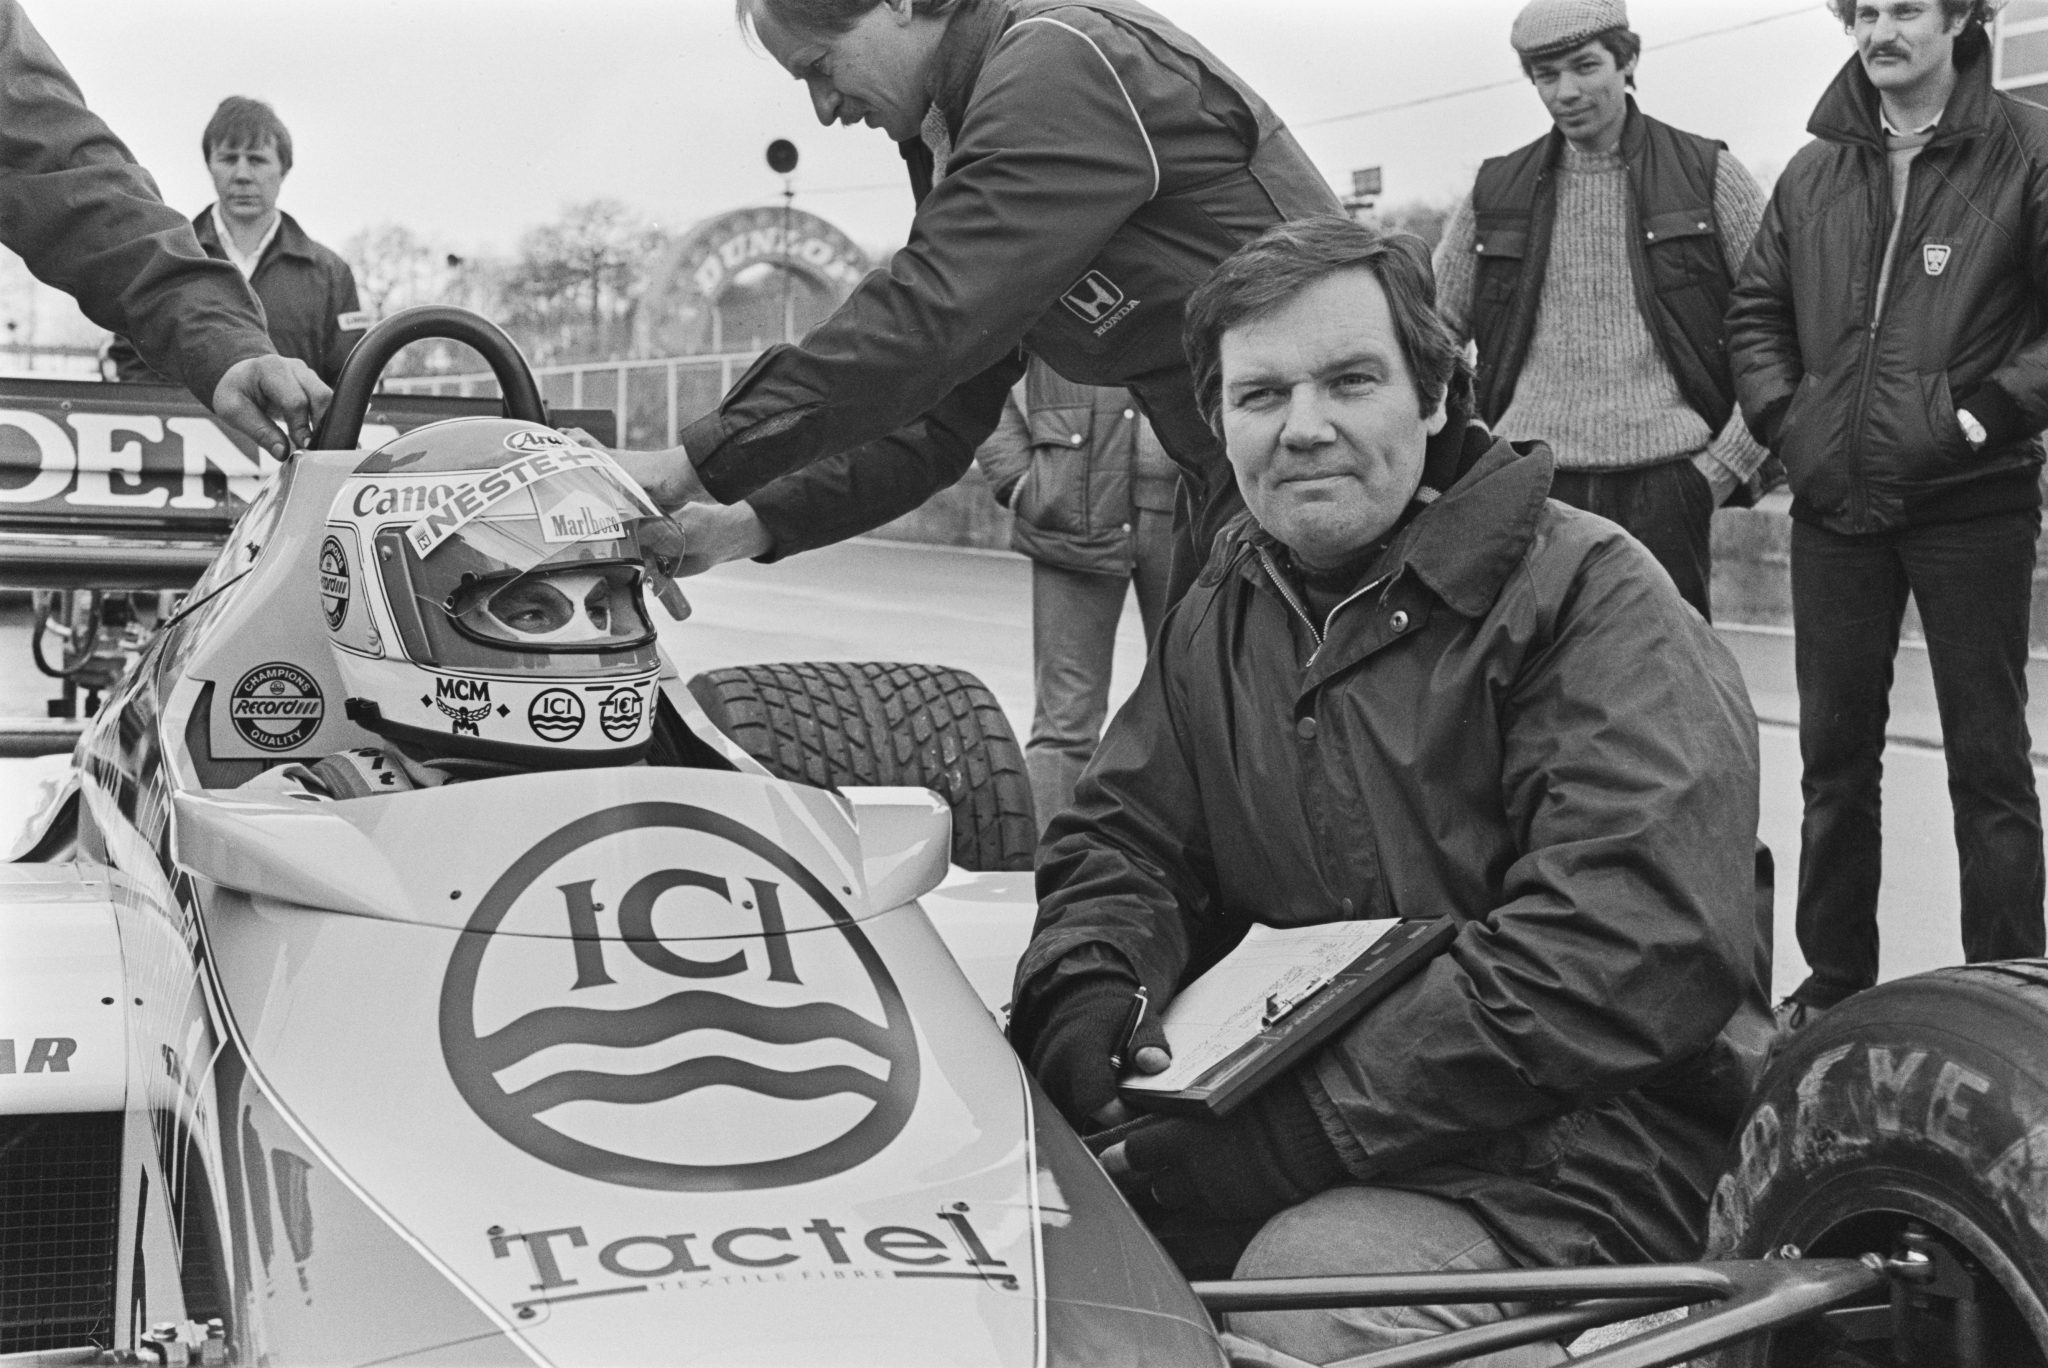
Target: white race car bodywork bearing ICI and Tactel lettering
626 1066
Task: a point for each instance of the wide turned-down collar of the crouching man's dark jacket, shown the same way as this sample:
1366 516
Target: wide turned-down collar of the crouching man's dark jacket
1465 544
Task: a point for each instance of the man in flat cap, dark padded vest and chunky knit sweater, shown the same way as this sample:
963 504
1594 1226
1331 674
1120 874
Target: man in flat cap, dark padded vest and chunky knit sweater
1592 271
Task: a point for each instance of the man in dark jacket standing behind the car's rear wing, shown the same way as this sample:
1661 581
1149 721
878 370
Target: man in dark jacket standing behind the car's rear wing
308 294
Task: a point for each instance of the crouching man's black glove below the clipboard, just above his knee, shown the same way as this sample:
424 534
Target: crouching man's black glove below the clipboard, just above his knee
1263 1158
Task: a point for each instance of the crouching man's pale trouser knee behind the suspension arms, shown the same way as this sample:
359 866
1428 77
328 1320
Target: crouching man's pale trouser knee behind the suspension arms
1361 1230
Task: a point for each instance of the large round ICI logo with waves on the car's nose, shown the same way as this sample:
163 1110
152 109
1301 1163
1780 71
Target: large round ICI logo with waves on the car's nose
628 1007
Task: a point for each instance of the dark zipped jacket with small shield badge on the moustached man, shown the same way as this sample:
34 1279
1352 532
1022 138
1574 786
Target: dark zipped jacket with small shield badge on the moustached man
1861 402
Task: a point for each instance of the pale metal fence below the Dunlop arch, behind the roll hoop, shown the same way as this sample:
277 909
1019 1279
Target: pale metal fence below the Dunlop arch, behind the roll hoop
652 398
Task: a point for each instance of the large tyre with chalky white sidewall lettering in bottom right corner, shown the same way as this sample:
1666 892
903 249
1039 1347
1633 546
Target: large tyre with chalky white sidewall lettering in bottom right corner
1914 1107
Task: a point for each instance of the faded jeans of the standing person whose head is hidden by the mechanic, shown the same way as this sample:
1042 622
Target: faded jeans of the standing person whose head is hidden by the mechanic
1074 642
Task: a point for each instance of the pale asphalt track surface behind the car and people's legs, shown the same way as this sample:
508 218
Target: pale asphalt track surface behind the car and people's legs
972 609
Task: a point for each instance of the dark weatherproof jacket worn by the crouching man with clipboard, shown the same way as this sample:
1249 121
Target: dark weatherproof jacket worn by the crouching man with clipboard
1521 726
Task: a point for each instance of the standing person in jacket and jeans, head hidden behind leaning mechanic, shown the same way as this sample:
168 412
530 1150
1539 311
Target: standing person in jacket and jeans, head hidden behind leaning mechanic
1093 495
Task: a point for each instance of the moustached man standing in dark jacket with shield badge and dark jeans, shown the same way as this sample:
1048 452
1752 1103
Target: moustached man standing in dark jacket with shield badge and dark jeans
1891 349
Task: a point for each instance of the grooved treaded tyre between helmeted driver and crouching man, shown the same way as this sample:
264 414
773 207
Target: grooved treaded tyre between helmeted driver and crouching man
830 724
